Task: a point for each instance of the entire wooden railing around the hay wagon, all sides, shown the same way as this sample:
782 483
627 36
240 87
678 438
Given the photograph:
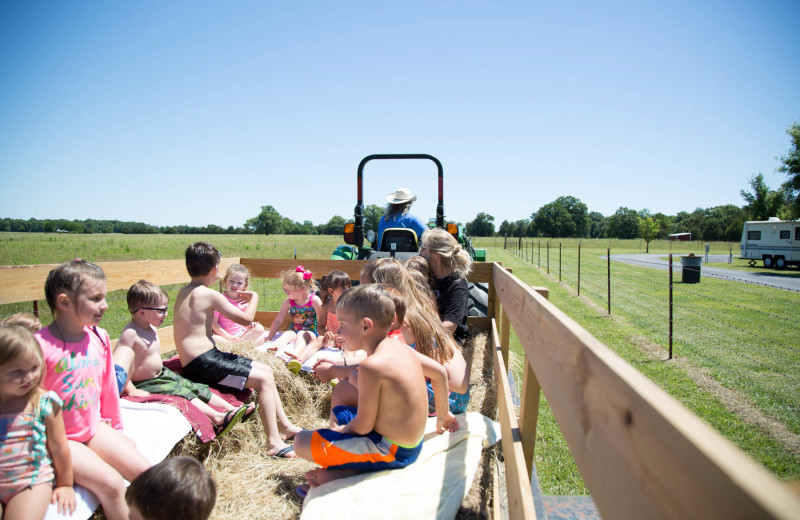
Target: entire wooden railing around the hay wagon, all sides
640 452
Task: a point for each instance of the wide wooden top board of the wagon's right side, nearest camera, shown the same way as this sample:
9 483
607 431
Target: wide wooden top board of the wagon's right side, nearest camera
641 453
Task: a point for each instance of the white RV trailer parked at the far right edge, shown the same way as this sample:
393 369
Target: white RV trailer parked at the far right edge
776 242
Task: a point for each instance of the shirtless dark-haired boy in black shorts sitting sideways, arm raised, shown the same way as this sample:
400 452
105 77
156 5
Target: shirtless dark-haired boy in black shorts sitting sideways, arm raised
204 363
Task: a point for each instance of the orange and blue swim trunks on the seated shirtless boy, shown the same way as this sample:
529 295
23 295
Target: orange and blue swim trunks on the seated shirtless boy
371 452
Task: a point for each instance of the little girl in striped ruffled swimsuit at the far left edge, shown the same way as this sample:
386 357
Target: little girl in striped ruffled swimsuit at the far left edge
31 424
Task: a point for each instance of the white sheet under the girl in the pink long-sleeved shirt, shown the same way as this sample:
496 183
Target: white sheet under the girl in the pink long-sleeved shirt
155 427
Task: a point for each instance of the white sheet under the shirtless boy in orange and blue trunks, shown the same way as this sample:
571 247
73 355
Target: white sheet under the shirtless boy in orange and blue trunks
432 487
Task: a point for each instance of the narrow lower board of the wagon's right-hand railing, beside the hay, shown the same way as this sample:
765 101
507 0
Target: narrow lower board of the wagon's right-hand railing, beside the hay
518 478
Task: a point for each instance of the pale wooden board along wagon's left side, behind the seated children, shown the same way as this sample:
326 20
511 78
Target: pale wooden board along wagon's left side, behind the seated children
25 283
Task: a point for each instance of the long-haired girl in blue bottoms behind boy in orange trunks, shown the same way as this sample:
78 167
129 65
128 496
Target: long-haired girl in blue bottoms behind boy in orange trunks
424 332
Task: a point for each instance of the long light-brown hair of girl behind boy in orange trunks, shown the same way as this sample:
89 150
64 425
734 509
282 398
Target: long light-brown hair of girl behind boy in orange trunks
421 316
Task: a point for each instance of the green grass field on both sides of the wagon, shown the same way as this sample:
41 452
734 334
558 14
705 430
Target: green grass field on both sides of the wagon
730 367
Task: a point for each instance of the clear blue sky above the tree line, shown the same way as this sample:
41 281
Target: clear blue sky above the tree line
201 112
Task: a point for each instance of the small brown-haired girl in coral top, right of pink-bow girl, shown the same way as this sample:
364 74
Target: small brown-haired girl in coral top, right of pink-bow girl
333 285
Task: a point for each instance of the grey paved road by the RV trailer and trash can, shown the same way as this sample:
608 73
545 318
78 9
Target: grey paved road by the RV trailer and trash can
768 278
